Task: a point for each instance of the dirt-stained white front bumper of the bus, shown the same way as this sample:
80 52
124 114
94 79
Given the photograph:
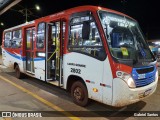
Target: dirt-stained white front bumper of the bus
123 95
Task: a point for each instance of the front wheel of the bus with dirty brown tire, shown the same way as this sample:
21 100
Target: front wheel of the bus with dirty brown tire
79 93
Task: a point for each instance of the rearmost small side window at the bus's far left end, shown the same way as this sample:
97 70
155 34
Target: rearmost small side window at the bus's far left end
7 39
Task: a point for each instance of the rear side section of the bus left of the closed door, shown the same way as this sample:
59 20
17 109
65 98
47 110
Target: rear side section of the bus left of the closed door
12 48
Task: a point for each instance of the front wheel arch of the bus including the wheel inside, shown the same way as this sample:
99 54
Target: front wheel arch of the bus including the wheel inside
78 89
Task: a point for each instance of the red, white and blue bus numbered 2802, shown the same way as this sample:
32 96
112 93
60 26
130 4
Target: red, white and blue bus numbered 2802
90 51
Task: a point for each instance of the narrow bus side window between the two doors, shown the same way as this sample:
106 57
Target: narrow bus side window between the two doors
40 35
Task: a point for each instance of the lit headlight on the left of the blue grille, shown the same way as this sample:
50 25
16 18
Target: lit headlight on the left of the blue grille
127 78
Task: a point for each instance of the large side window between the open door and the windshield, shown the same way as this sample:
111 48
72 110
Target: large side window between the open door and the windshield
84 36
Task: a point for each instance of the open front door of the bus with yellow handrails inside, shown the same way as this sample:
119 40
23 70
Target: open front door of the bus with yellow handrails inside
54 38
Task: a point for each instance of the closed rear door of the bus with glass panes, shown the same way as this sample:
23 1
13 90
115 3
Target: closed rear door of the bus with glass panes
30 35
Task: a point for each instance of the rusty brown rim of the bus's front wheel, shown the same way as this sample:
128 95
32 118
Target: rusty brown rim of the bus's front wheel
78 94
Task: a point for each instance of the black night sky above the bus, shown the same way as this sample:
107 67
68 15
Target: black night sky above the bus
146 12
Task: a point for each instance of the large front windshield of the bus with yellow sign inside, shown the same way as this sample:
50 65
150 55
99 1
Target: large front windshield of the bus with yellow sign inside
124 38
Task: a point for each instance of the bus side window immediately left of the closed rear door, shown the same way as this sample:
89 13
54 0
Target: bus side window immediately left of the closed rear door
16 41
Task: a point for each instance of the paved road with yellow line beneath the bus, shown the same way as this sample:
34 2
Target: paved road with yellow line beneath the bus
30 94
